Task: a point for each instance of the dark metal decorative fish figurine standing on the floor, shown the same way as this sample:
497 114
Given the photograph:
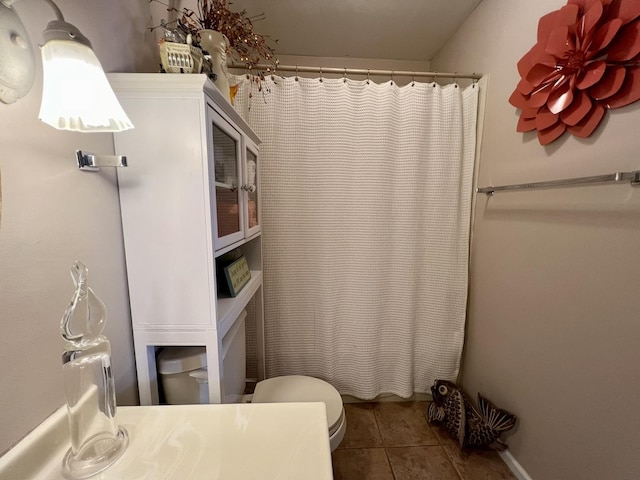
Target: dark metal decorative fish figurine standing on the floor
470 426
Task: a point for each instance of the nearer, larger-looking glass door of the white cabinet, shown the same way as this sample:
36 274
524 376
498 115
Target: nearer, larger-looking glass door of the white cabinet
226 146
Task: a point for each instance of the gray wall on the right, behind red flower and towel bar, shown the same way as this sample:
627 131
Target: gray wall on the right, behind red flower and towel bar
553 330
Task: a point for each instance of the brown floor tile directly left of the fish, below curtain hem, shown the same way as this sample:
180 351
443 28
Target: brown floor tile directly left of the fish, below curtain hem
403 424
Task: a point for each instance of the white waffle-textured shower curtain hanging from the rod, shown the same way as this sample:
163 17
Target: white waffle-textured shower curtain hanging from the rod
366 201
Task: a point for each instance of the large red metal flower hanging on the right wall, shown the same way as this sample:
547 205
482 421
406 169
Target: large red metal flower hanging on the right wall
586 60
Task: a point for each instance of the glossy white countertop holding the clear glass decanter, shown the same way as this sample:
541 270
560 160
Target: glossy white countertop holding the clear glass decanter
283 441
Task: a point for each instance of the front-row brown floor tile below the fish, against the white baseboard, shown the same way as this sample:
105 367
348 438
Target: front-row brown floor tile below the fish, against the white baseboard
478 464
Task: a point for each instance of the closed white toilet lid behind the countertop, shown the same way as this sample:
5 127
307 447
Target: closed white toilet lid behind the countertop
300 388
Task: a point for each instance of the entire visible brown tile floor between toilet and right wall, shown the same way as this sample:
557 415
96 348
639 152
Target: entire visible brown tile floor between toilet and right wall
394 441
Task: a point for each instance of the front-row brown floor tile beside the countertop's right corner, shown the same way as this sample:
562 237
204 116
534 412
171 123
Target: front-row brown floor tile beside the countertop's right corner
361 464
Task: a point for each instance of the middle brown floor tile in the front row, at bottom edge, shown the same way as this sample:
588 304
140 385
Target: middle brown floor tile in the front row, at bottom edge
421 463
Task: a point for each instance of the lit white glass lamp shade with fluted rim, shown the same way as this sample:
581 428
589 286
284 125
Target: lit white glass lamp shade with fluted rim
76 94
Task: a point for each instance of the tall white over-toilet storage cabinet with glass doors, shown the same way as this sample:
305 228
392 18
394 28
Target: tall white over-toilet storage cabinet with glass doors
189 195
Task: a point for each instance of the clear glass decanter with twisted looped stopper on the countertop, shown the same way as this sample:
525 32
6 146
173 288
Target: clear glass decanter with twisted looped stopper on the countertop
96 439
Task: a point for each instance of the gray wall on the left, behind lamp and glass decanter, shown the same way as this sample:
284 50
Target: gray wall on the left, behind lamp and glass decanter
53 214
